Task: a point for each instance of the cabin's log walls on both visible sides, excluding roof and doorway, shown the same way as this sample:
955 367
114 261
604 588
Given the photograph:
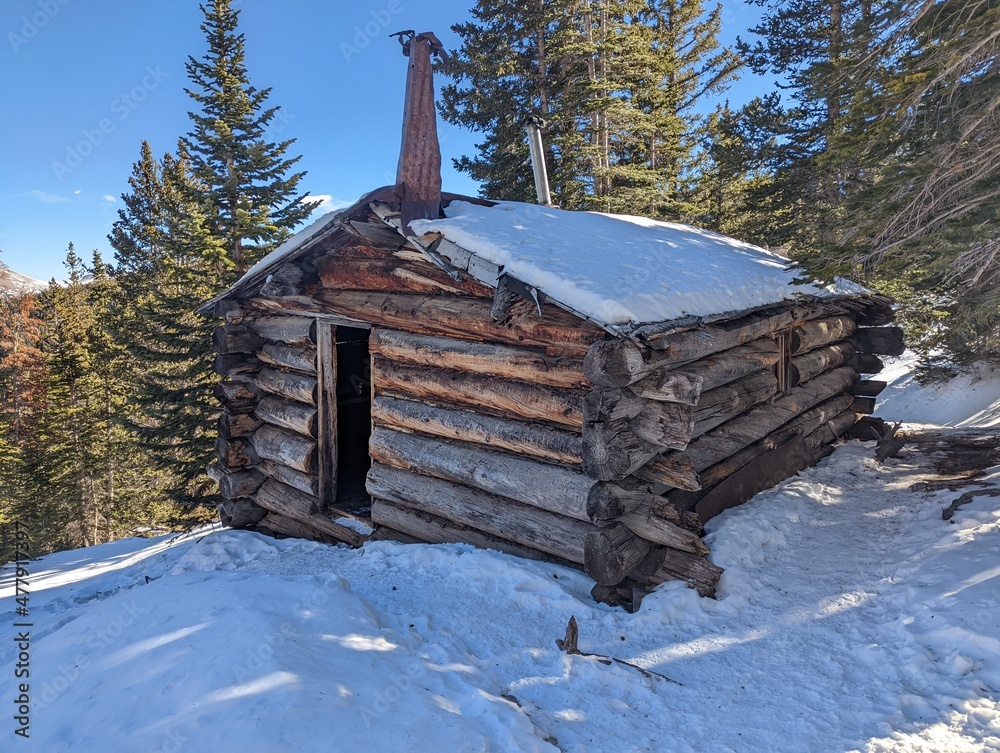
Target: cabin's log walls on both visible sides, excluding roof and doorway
537 436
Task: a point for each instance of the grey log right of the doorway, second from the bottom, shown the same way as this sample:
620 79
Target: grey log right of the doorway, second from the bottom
520 523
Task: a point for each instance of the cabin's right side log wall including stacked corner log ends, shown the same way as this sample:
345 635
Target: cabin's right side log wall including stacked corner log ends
702 420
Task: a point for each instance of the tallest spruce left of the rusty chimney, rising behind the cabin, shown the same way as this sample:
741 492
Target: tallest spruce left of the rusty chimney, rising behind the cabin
253 200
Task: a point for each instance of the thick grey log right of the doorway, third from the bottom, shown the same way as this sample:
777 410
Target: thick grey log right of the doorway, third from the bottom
554 488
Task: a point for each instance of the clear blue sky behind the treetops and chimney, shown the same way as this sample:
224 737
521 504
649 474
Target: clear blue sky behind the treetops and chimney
85 81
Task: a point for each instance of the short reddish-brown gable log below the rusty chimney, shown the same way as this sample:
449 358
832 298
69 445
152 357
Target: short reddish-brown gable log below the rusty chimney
395 275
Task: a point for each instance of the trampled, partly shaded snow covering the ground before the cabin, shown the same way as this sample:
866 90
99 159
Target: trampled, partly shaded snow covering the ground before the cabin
850 617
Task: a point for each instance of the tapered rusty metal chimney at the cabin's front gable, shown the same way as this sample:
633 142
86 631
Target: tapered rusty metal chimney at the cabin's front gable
418 178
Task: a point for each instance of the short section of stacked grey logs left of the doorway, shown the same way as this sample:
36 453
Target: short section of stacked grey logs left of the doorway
268 448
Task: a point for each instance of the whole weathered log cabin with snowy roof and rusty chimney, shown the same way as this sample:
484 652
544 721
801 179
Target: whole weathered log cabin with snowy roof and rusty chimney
581 388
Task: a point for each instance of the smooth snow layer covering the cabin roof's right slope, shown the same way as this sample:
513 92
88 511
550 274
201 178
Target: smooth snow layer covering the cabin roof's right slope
617 269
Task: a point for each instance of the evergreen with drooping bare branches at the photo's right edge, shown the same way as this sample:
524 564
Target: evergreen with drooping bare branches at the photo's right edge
922 134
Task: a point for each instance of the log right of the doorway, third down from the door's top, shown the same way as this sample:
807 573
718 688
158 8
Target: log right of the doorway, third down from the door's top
535 440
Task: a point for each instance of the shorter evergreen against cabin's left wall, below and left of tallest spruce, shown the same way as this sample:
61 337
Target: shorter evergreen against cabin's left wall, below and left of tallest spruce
173 264
